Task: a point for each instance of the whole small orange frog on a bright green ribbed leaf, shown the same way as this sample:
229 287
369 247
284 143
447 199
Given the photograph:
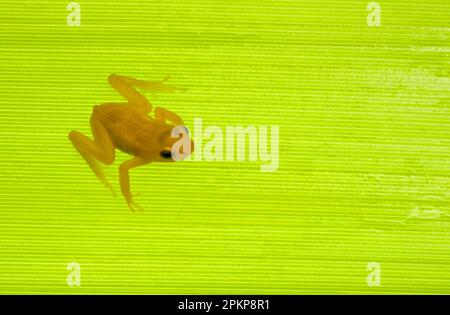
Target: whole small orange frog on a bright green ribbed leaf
127 127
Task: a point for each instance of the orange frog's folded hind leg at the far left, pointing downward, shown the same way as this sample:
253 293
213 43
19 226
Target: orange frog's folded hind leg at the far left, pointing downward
100 149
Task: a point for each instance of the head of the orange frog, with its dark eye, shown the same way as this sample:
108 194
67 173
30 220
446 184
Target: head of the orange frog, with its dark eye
176 144
